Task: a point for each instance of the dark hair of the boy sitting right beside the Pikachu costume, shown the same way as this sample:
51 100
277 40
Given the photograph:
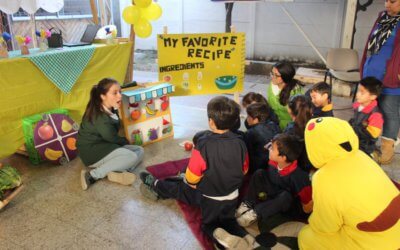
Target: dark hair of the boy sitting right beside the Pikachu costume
289 146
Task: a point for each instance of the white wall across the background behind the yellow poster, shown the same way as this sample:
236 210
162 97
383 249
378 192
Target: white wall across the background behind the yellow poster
270 35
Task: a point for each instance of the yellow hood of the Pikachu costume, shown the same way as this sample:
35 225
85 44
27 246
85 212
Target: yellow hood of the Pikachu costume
329 138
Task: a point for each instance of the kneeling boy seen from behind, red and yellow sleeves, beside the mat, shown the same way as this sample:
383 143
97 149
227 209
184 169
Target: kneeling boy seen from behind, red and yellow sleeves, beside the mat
214 174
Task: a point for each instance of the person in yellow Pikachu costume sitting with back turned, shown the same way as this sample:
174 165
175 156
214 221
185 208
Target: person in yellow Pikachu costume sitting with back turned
356 205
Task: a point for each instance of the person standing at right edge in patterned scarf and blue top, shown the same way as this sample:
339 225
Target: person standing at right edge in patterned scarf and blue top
381 59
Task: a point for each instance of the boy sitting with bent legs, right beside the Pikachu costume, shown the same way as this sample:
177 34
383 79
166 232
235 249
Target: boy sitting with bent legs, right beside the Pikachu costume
281 188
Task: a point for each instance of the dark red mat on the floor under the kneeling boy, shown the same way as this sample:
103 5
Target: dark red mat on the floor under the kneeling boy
192 214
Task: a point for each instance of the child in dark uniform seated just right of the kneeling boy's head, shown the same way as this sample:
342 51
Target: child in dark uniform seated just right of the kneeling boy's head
261 129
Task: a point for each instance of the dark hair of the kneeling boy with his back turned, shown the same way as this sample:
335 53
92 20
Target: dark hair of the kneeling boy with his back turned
224 112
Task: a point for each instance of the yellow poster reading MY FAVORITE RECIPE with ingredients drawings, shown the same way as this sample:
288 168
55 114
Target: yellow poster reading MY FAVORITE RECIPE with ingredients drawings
202 63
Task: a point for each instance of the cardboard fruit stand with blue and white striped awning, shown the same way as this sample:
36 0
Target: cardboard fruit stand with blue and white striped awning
146 113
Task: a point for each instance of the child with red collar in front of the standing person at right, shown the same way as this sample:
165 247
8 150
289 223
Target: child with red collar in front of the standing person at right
367 121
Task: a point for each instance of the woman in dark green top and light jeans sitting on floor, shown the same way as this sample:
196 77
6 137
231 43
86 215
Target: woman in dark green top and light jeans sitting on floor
99 145
